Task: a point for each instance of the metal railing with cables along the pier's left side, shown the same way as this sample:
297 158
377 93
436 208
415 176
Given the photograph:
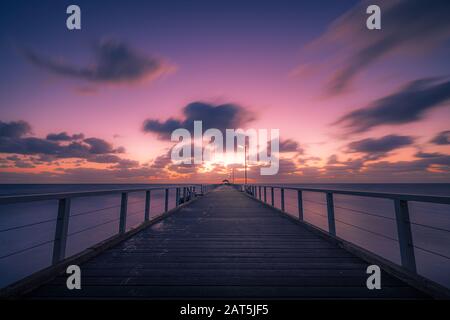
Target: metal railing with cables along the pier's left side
183 193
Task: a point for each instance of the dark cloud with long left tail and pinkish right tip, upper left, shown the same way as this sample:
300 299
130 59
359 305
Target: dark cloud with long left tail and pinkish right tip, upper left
115 62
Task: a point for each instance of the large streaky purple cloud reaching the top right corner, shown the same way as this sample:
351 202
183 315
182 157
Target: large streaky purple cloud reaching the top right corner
353 48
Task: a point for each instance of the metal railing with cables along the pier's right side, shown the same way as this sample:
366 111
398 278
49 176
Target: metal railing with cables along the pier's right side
402 216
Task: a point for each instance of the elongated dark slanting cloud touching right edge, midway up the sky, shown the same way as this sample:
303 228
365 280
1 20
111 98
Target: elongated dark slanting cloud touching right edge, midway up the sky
409 104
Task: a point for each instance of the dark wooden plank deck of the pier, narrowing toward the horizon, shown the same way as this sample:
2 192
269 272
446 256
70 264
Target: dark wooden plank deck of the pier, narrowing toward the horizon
226 245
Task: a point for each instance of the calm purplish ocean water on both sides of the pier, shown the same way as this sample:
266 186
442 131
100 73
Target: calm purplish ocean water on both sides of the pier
27 230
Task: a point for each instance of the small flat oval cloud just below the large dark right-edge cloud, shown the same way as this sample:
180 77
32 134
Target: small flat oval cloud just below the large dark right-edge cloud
381 145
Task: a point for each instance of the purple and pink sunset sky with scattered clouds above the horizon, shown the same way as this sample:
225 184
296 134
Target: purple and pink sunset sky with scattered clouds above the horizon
98 105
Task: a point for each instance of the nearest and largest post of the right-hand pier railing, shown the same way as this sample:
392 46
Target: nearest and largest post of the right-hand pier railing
405 239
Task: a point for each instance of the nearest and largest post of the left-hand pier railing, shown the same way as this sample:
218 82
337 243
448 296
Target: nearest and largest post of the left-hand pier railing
62 226
